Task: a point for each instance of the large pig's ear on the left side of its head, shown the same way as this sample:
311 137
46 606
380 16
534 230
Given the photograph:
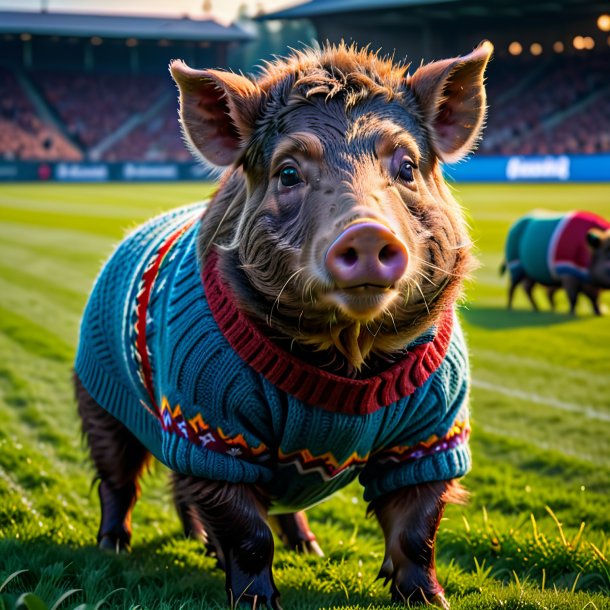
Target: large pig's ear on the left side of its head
217 111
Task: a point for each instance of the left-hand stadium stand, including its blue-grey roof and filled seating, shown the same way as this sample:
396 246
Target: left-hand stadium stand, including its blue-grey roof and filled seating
83 87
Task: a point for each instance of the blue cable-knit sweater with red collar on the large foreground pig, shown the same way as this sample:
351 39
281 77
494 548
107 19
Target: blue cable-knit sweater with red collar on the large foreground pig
164 349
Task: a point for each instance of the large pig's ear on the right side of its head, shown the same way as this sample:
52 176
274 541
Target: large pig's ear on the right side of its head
452 98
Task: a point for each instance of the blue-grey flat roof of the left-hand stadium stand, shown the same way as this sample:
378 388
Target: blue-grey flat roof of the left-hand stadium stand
118 26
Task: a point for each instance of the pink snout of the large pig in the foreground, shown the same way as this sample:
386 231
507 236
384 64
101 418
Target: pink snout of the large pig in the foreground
366 253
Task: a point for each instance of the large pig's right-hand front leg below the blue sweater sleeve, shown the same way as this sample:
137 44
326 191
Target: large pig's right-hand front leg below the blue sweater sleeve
409 519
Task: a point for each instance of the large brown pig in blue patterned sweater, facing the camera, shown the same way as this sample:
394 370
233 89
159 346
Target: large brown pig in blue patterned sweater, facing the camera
296 331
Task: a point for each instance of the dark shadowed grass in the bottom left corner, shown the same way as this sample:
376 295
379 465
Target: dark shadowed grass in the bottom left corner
153 575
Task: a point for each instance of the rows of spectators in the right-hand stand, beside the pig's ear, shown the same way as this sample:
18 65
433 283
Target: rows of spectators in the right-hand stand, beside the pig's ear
558 106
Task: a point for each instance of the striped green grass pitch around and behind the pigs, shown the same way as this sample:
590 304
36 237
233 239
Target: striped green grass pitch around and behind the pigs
533 536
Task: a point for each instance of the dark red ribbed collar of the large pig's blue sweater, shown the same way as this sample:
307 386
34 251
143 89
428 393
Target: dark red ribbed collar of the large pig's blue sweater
308 383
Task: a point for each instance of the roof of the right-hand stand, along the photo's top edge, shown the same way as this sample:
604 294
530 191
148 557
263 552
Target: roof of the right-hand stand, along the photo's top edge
448 9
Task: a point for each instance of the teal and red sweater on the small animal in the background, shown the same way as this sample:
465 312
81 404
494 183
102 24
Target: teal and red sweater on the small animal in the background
546 246
